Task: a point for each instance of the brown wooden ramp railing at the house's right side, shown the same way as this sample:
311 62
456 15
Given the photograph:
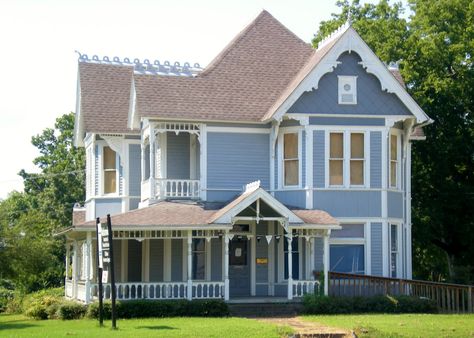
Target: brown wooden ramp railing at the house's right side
451 298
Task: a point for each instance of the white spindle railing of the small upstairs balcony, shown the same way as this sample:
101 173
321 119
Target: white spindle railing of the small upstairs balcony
177 188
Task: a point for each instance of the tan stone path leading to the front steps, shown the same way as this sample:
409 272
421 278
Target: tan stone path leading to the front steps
309 329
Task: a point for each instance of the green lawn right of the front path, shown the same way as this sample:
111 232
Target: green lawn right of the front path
406 325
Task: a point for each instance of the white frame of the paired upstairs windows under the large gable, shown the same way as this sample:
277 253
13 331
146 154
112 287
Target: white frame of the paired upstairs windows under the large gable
346 166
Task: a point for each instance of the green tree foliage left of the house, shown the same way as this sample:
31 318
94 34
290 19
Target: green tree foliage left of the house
29 253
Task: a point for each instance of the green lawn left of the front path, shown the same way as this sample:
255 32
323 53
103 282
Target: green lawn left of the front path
20 326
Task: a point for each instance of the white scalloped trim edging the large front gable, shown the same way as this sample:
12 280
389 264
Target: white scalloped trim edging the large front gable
350 41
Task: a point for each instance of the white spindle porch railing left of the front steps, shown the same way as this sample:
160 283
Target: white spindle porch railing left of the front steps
160 291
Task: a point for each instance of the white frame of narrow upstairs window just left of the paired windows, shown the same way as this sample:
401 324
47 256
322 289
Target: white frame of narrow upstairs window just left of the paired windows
281 174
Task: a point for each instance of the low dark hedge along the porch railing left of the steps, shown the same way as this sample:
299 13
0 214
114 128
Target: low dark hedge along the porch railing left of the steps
148 308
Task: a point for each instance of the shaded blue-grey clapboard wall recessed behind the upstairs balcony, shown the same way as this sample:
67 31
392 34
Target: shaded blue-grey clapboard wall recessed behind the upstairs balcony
178 156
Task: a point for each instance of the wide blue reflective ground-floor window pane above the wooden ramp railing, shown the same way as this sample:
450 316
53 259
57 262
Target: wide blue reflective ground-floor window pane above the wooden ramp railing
347 258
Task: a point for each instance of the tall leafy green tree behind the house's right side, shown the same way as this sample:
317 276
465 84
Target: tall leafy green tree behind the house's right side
434 47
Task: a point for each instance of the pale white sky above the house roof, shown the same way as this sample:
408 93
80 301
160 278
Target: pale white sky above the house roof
38 63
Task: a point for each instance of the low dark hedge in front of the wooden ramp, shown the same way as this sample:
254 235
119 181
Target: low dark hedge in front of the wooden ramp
314 304
